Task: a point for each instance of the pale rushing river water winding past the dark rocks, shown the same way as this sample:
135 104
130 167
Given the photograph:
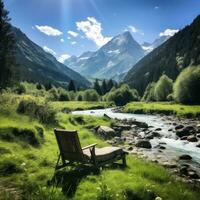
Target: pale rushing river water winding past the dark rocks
175 147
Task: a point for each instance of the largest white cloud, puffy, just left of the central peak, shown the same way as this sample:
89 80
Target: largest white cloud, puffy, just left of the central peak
93 31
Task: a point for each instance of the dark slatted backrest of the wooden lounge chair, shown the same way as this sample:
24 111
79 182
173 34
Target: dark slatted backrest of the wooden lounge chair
69 145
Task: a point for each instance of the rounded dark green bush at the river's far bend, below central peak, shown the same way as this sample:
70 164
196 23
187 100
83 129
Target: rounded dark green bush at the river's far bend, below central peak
122 95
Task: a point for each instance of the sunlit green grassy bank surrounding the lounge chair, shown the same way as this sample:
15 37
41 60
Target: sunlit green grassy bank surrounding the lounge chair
26 168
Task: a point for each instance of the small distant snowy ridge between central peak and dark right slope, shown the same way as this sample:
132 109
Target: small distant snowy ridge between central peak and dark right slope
148 47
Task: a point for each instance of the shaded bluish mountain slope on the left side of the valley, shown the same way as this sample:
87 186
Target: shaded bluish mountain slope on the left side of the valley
39 66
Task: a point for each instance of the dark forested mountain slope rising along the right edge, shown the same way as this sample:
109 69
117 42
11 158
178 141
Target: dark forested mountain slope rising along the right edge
170 58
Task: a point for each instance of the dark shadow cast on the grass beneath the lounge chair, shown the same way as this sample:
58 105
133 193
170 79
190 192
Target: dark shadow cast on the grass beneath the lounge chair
69 179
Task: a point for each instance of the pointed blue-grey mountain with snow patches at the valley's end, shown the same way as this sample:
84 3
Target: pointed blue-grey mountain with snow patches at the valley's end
111 60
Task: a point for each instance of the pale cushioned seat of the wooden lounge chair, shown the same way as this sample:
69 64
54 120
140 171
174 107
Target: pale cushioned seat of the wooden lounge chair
104 154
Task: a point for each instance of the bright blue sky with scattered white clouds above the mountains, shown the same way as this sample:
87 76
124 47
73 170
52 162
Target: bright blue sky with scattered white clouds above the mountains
70 27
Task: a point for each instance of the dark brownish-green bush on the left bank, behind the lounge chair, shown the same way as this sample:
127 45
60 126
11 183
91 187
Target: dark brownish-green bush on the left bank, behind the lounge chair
41 112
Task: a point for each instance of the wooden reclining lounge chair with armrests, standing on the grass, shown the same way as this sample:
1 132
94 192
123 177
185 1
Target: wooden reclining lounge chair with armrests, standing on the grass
71 151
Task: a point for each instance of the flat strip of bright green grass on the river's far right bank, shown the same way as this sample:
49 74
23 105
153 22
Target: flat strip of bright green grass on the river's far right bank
163 107
